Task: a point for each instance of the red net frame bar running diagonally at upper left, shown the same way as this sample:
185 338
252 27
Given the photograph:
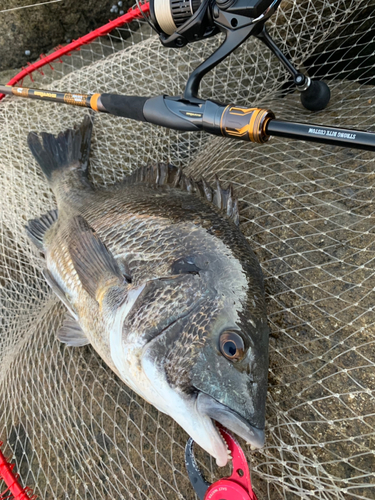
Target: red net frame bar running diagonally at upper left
131 15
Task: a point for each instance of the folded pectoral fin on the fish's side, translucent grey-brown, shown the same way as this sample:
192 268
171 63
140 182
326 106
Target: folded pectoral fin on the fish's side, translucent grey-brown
95 265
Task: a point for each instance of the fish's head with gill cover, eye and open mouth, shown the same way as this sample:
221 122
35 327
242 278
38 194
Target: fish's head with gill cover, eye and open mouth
212 365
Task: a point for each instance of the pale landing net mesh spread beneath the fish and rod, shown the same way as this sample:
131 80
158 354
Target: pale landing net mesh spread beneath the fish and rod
73 428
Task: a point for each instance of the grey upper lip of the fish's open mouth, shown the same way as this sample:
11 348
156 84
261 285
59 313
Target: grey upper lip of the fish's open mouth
230 419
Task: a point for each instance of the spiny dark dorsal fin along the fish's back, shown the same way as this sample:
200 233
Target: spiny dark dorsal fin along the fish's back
162 174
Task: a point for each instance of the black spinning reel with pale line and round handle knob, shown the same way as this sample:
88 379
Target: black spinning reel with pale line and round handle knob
179 22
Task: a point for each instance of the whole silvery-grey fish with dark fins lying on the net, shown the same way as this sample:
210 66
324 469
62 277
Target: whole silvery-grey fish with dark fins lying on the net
156 275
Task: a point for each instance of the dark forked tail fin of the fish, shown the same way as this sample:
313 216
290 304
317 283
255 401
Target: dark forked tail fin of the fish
67 148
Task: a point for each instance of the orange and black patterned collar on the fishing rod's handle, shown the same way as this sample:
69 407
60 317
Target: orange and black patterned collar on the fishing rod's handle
247 124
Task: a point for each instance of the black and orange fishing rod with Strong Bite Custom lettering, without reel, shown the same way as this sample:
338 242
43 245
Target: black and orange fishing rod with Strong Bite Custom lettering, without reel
237 122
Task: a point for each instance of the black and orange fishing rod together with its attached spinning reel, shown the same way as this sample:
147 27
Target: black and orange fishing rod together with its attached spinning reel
180 22
